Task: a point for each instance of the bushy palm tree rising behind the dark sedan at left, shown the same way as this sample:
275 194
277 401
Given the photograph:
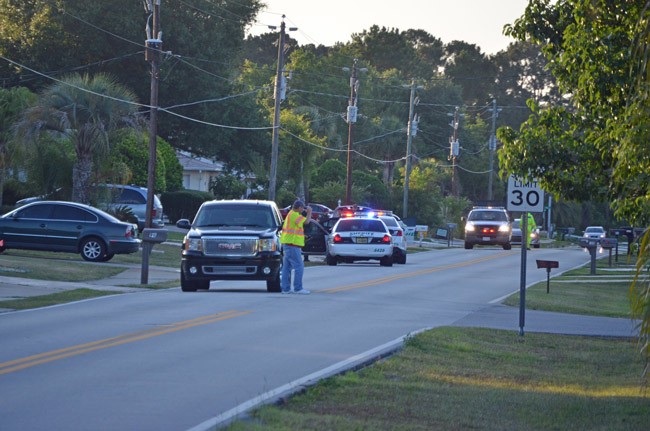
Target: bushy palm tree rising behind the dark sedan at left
83 109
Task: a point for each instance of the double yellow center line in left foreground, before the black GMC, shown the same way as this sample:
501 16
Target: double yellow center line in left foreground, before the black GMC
42 358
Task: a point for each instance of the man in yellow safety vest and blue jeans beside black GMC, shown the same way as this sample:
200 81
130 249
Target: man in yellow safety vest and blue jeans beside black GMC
293 240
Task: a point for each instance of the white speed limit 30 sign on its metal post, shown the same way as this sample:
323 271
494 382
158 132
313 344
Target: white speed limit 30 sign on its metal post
524 196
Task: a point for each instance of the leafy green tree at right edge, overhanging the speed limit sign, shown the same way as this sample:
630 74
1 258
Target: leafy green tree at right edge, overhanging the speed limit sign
596 144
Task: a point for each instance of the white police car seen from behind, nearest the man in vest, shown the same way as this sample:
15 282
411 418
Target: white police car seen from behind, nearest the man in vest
357 238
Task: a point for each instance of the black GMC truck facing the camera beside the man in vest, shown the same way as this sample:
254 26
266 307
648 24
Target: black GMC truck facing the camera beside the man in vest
232 240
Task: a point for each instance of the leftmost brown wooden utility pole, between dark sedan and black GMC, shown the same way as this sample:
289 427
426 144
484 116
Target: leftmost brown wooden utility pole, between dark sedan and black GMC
152 54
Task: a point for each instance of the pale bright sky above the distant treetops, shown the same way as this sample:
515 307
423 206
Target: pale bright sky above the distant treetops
328 21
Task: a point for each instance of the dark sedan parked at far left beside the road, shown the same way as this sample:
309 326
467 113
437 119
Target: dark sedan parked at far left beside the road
67 227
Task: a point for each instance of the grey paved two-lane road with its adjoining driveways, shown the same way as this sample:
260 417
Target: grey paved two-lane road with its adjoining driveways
167 357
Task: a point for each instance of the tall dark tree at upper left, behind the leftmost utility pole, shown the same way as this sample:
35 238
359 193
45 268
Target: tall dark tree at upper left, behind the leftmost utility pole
55 37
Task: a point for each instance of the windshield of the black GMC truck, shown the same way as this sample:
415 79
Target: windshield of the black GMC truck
234 215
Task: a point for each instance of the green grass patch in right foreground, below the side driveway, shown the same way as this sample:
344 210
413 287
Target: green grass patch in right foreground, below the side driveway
468 378
